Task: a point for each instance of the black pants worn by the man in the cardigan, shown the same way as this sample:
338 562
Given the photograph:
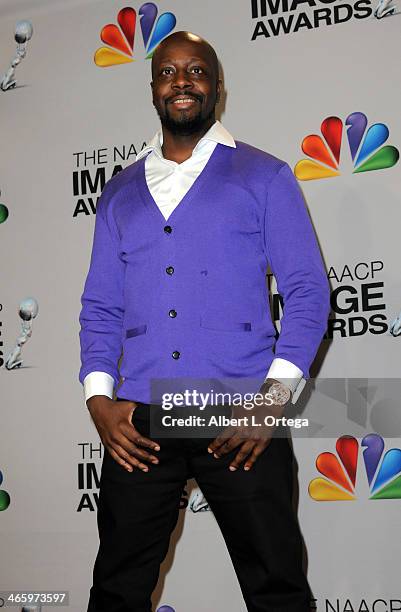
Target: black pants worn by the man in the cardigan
137 512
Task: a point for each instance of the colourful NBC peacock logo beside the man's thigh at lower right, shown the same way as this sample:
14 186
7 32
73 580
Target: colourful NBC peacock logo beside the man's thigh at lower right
383 470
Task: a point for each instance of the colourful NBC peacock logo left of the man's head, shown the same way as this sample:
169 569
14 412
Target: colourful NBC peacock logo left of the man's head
120 39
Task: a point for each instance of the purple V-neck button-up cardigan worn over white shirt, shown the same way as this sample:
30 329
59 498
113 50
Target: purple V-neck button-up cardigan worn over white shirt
188 297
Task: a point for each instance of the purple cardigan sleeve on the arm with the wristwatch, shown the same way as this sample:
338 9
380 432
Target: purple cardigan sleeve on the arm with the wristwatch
293 253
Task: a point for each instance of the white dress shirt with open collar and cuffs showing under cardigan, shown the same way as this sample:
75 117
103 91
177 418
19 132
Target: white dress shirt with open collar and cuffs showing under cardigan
168 182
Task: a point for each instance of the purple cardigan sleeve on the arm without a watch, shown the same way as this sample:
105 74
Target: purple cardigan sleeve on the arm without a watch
101 316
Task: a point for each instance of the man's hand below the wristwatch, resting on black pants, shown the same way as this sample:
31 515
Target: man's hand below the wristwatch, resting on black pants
251 437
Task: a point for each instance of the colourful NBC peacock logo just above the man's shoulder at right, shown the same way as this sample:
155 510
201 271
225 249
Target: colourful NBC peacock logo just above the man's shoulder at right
365 146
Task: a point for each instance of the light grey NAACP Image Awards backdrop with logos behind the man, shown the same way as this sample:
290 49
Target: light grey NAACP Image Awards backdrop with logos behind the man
314 82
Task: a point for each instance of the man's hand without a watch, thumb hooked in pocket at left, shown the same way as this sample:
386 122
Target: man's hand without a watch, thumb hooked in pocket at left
124 443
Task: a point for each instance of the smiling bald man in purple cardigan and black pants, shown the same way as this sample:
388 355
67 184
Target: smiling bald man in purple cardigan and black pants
182 241
